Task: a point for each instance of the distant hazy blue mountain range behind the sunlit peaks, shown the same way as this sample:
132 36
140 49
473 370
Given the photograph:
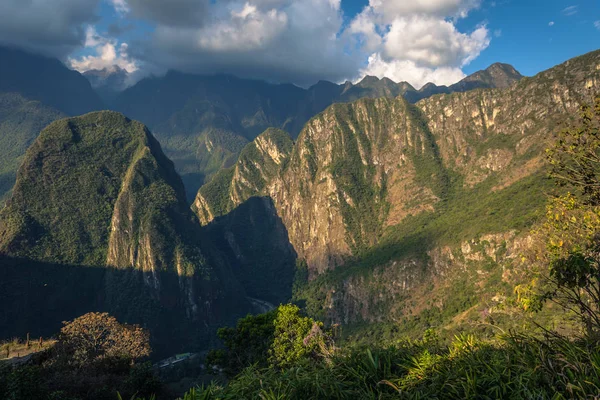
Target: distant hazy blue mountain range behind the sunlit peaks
203 122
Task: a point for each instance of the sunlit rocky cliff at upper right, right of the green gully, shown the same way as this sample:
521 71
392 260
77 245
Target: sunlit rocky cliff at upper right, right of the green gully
505 131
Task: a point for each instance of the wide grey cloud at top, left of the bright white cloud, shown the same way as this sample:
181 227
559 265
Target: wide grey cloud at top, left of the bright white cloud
278 40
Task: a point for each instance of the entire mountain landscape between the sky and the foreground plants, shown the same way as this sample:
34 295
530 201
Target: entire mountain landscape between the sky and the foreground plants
356 200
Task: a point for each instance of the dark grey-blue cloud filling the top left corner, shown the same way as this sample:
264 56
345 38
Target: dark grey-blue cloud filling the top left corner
52 27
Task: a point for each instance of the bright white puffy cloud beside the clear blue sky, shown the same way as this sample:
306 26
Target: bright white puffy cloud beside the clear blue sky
418 41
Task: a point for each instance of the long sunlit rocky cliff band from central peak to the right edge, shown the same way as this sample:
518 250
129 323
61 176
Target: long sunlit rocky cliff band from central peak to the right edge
360 167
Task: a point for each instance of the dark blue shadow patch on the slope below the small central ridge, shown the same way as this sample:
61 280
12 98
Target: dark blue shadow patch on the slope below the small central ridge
255 241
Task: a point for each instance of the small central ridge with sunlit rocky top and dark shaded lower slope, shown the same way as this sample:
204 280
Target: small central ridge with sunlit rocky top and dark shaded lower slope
252 236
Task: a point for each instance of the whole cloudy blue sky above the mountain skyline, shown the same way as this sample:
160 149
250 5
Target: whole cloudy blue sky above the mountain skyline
304 41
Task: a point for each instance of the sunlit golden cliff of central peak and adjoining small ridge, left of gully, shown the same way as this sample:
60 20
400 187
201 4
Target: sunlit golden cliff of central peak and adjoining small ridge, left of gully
343 181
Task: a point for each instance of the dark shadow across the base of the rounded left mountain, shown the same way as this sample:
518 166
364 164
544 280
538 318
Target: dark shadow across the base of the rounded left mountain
37 296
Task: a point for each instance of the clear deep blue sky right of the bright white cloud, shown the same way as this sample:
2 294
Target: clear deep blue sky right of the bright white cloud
526 40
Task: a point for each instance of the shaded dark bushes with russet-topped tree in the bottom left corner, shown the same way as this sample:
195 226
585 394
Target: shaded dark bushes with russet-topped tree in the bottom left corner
94 357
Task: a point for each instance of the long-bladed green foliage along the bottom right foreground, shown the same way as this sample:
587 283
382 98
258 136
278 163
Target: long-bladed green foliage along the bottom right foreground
511 366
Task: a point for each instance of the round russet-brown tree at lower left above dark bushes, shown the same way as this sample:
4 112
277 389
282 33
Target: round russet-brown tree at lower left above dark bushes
99 336
